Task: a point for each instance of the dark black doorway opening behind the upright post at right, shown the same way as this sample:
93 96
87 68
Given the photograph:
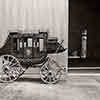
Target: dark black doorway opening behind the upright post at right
84 14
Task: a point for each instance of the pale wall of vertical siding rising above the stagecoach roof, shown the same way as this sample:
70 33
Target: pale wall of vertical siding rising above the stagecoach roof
28 15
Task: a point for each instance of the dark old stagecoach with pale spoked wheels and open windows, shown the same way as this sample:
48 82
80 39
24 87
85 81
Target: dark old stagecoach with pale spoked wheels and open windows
21 51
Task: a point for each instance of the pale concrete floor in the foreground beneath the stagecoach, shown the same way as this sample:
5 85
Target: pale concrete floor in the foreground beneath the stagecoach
75 87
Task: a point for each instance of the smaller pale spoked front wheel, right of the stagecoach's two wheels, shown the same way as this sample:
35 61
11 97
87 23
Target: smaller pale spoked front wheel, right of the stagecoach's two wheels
50 73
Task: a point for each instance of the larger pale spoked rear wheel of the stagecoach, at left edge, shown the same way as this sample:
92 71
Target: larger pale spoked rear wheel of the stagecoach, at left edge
10 68
